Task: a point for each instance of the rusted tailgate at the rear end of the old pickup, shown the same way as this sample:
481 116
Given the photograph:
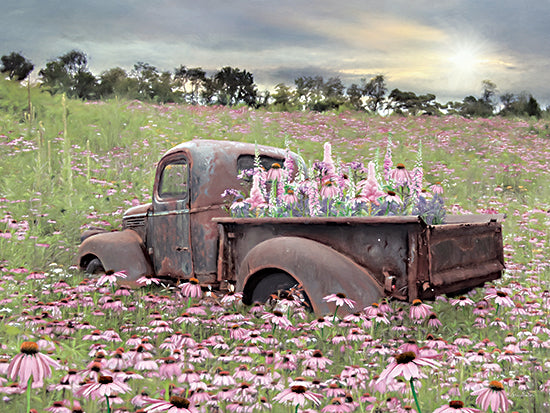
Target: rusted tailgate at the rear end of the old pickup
464 253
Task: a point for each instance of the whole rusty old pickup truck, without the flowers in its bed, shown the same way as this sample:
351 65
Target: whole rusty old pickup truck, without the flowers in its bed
187 232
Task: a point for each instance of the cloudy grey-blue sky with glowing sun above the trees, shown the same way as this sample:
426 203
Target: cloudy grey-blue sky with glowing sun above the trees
445 47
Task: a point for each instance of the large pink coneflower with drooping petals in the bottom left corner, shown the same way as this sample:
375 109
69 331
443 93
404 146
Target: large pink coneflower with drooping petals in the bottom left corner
31 363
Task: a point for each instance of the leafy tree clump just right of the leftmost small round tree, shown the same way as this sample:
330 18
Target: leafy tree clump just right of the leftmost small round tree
69 74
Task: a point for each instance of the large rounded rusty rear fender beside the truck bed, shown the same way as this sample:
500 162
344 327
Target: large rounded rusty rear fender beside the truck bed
320 270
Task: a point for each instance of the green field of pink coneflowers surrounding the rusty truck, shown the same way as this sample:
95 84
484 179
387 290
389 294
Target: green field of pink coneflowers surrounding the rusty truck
72 343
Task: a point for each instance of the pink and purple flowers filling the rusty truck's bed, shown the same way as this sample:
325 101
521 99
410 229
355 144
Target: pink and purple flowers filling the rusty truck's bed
329 189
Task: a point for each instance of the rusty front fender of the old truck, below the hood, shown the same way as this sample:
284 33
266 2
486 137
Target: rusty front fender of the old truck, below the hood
117 251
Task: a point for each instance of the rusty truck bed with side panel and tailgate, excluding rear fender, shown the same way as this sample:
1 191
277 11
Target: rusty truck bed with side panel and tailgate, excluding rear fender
407 258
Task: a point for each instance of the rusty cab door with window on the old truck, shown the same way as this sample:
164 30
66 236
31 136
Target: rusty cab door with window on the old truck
169 220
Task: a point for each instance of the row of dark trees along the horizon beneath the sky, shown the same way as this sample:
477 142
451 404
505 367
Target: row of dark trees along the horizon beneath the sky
231 86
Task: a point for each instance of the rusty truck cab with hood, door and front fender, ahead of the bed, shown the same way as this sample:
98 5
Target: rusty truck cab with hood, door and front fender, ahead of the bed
174 236
